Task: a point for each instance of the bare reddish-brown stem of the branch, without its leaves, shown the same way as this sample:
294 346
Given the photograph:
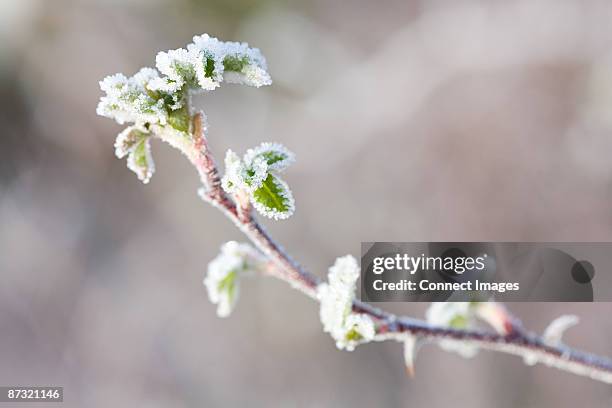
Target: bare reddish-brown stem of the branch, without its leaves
388 326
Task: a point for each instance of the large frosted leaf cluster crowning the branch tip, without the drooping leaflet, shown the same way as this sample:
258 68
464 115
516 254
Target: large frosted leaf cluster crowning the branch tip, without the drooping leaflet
149 97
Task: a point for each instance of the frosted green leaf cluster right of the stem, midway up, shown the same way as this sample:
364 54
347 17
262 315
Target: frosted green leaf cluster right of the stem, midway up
256 175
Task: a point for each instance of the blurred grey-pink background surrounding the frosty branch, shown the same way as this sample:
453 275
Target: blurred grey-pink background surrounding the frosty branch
411 120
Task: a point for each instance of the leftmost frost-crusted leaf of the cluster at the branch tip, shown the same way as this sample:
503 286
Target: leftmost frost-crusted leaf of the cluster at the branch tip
127 100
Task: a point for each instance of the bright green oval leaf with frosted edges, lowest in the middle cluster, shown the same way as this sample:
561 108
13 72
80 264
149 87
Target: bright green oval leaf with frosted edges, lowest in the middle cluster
274 199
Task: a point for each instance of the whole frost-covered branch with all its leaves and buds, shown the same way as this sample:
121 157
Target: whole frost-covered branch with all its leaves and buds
158 103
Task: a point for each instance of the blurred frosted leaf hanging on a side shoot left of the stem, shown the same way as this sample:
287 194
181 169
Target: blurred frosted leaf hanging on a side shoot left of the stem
222 280
